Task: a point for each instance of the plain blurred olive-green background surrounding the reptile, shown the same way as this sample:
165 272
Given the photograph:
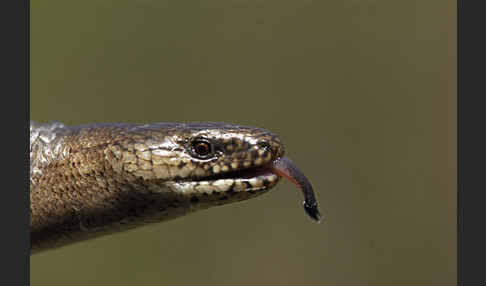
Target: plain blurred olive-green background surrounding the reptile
363 94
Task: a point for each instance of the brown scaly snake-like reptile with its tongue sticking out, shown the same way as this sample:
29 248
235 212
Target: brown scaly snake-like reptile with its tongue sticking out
91 180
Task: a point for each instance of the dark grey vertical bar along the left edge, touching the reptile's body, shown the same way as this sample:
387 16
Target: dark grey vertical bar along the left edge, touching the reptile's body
15 87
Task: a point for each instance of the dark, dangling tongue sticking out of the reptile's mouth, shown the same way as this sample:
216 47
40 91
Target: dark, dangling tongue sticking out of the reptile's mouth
283 167
